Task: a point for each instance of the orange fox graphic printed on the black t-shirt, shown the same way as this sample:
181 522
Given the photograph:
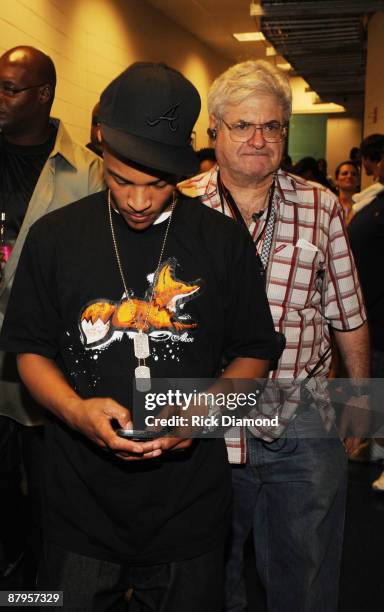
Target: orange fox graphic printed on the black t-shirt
160 314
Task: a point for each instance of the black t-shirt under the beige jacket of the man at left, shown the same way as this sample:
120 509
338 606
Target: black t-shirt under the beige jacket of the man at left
20 170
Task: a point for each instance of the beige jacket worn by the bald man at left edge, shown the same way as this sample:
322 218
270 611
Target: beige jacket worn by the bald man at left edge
71 172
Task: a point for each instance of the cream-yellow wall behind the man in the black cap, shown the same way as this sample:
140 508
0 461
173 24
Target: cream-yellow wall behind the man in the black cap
91 41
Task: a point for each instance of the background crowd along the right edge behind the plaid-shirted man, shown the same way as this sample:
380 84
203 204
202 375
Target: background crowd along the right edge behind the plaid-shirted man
366 233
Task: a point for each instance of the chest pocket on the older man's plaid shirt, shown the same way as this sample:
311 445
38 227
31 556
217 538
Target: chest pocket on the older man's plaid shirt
294 277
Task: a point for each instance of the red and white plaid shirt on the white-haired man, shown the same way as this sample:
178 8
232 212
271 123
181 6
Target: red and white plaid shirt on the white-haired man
311 279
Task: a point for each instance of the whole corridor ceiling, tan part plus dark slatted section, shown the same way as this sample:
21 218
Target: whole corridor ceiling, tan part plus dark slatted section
323 40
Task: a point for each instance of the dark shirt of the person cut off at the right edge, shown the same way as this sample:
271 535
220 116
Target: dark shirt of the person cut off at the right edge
366 234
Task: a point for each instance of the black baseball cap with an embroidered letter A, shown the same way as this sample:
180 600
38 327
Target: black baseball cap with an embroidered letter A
147 115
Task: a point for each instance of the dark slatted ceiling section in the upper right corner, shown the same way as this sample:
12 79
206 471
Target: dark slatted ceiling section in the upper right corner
325 42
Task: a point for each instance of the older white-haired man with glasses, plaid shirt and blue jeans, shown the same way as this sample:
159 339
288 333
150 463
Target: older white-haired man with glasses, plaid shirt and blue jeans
289 484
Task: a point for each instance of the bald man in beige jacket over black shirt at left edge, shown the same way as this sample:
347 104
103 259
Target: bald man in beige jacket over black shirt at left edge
42 169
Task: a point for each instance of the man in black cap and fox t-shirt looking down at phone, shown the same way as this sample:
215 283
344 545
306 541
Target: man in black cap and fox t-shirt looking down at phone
140 282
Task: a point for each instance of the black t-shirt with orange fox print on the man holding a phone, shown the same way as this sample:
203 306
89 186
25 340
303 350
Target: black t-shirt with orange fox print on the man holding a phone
178 506
